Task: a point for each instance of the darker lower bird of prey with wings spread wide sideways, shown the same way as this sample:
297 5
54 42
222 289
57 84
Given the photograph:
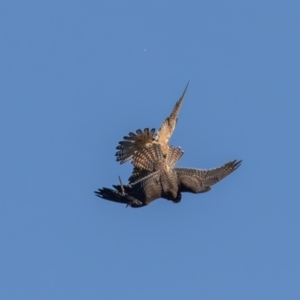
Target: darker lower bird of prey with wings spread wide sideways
164 180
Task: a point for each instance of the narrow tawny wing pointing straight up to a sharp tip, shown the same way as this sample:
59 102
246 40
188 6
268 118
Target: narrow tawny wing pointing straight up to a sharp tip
166 129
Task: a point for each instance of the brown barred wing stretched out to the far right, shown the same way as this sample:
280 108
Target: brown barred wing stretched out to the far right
200 181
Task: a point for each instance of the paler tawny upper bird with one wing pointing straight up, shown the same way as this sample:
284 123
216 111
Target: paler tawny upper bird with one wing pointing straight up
135 142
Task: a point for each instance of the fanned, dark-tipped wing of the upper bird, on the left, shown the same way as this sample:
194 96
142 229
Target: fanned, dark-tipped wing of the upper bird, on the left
134 143
